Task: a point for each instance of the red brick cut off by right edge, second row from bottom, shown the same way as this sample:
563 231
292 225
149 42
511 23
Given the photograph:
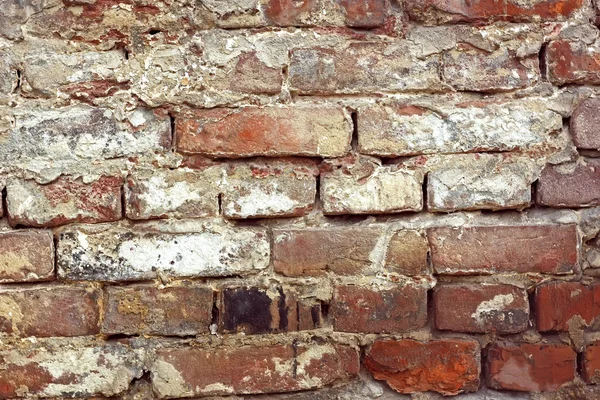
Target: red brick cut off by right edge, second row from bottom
559 303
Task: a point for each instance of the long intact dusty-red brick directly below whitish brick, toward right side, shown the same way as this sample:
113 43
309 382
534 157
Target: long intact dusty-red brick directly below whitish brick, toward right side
549 249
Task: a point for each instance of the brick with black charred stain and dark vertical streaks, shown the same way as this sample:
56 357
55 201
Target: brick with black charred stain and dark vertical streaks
266 310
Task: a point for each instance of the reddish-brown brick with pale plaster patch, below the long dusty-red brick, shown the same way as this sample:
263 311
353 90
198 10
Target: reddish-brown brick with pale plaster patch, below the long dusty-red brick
477 308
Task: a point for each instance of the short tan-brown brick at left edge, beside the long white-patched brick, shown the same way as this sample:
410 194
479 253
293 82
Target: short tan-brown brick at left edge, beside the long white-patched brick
26 256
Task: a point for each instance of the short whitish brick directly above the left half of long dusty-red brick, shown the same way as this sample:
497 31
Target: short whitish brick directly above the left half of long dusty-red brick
481 182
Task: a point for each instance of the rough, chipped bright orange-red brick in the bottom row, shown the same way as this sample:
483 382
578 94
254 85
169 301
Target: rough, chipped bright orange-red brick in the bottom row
444 366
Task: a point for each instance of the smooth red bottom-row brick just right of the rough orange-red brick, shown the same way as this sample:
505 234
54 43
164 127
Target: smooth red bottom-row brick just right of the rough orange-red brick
530 367
